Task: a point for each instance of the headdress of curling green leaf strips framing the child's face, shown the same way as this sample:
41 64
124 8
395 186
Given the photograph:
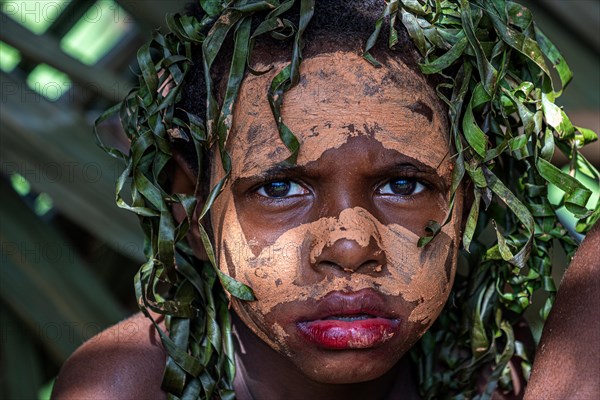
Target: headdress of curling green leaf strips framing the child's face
505 127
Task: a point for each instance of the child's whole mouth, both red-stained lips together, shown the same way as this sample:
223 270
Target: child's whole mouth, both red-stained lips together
357 320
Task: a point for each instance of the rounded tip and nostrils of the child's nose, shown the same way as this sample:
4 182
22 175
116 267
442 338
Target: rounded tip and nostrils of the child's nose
350 256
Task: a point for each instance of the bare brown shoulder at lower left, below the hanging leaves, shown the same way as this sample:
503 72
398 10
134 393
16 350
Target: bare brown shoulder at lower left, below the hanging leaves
125 361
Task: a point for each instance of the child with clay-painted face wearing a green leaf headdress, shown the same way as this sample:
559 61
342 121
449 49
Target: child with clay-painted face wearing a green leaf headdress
322 187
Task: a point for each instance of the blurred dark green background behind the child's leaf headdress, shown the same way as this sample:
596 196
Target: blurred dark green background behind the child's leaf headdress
68 254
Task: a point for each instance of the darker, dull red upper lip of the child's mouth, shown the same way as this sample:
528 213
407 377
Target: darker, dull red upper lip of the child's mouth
339 303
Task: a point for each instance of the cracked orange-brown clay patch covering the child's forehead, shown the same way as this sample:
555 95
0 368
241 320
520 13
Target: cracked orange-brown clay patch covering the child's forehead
339 96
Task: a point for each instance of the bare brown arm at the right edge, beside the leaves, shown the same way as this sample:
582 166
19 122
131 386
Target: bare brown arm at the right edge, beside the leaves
568 357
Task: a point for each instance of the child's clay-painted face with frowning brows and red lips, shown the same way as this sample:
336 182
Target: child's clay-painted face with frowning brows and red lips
330 245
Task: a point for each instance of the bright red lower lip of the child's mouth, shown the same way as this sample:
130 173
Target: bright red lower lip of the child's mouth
341 335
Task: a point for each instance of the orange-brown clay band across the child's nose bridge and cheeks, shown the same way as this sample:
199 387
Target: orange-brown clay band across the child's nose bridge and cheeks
280 273
